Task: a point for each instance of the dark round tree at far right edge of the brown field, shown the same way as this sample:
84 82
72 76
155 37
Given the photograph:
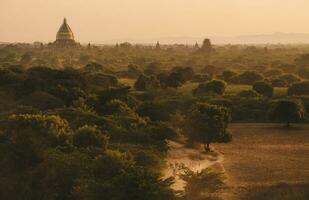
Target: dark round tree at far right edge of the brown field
287 111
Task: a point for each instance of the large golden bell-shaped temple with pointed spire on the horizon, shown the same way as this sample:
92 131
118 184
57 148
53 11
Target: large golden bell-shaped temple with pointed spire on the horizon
65 37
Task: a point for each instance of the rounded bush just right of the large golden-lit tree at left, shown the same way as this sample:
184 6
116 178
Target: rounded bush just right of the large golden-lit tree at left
87 136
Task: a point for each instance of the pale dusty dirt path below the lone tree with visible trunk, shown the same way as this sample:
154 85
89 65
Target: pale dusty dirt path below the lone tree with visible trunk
195 159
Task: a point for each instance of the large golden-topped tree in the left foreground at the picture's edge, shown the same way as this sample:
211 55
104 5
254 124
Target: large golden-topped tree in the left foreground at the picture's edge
27 136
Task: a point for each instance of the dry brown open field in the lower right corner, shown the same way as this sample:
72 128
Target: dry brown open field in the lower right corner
267 162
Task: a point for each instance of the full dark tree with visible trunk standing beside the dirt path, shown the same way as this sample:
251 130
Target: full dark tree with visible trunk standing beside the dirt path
207 124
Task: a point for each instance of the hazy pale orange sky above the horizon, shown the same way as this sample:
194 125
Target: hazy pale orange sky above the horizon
103 20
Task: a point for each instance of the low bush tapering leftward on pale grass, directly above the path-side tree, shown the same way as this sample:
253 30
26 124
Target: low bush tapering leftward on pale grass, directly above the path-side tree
214 86
